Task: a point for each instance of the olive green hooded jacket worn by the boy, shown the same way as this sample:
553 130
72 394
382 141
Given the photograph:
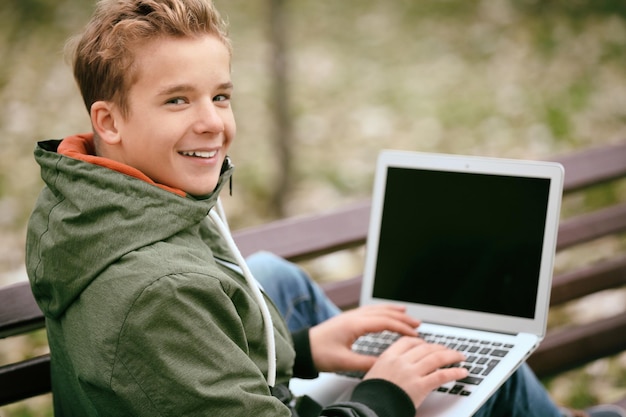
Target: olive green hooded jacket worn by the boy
142 319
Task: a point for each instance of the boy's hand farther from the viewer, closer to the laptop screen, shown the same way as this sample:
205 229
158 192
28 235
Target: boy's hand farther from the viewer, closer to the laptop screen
331 341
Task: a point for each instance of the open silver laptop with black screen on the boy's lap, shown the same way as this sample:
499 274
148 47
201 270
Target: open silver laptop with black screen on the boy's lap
467 245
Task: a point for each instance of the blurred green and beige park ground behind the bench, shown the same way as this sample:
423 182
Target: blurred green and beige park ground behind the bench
322 86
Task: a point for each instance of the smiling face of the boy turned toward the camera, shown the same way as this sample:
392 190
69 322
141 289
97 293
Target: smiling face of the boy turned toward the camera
180 124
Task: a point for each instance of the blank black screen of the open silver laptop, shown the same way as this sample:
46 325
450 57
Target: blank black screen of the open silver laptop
462 240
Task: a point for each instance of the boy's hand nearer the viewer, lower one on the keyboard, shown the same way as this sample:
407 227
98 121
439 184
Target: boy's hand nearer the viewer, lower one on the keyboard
415 366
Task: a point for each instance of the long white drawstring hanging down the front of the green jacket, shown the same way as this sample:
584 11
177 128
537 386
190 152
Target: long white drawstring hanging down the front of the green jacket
219 220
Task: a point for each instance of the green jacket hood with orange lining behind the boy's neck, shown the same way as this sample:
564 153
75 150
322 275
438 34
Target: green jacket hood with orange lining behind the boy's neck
75 233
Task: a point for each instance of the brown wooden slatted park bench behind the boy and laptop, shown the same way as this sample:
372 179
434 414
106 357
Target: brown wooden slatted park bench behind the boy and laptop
311 237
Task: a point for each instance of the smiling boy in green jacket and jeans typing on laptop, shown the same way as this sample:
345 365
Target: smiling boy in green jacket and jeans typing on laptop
150 308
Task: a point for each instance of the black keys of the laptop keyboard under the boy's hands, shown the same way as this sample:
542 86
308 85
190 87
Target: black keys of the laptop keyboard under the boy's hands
482 356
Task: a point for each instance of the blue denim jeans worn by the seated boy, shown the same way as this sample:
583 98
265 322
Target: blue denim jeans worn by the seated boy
304 304
